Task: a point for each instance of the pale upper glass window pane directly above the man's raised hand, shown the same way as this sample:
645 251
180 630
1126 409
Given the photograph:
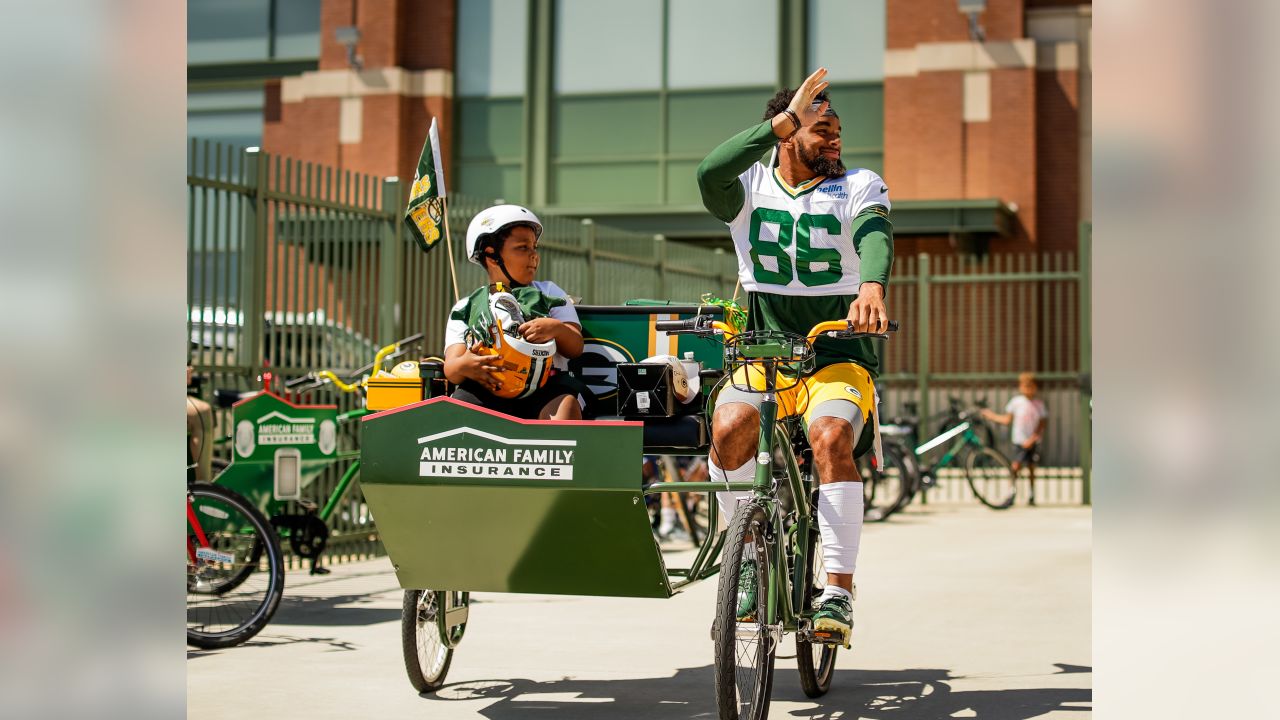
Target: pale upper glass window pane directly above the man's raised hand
847 38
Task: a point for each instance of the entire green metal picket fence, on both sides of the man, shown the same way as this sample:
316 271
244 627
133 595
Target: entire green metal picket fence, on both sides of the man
304 267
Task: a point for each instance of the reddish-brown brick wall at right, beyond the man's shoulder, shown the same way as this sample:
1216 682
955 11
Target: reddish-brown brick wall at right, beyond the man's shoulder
1028 152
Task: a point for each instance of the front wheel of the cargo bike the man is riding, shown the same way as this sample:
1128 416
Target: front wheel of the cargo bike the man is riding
744 650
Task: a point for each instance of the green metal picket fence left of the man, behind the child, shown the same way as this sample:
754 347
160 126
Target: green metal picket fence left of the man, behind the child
295 267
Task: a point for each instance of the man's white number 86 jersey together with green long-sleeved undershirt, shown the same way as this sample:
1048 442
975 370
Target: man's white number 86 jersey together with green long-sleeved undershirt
802 252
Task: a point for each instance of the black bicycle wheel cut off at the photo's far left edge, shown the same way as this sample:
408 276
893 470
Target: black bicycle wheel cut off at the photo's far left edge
235 575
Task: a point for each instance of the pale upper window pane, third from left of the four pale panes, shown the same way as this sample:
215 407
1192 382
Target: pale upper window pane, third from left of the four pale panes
723 44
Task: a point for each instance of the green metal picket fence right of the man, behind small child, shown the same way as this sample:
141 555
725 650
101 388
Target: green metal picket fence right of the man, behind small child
971 326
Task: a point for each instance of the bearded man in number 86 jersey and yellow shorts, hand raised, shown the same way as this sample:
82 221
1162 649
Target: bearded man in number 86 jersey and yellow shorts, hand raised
813 244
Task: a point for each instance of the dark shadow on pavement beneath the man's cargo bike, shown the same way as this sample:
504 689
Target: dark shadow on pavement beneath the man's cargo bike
890 695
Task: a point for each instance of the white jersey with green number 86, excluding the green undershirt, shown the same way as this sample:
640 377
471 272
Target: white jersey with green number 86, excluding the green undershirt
801 240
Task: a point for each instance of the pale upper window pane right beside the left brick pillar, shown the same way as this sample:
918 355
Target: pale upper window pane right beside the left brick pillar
493 47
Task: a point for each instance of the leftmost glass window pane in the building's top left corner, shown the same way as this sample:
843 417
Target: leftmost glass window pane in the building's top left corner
222 31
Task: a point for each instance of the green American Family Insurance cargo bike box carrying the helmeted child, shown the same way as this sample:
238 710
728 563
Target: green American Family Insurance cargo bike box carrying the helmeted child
473 500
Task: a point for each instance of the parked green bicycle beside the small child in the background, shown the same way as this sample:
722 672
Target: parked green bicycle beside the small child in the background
988 471
